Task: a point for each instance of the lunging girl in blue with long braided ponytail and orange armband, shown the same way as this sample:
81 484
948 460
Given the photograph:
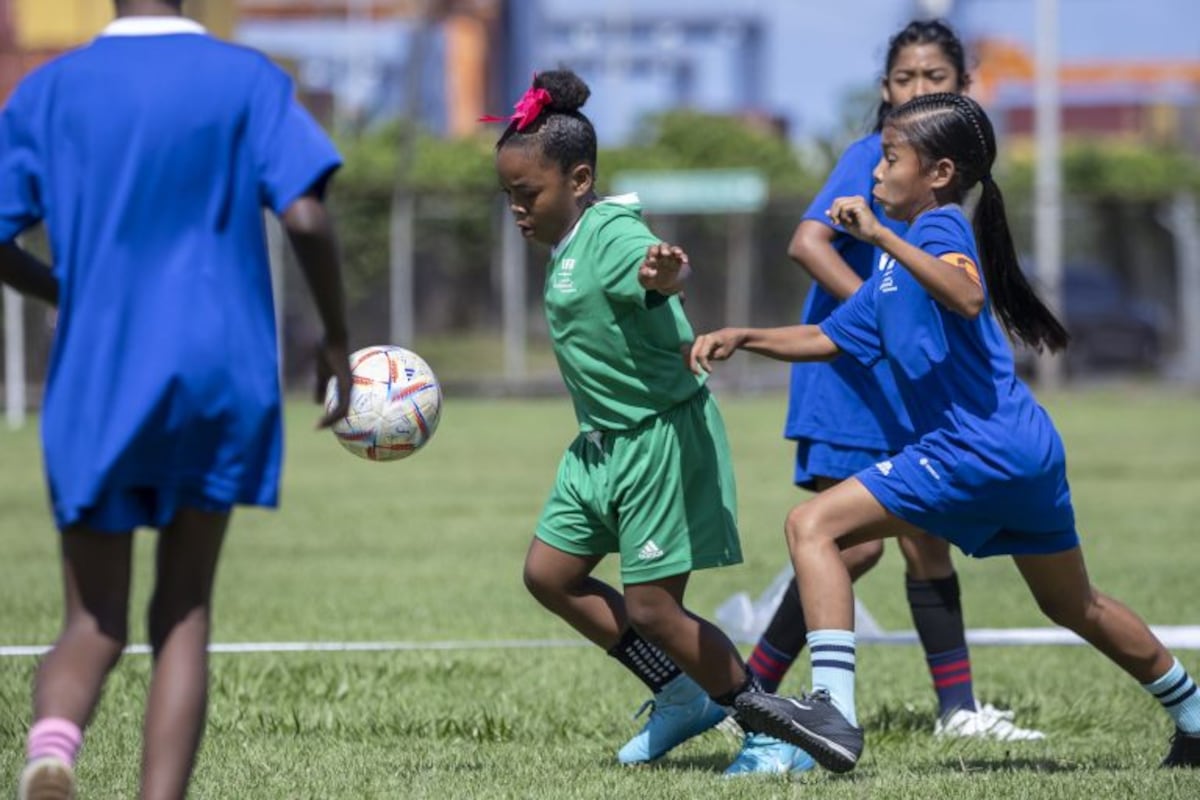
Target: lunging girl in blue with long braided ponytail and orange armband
987 471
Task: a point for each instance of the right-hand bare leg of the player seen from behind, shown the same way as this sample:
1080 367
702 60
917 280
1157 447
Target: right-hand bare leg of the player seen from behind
179 623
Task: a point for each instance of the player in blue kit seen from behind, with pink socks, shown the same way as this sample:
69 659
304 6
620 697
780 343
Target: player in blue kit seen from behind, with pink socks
151 154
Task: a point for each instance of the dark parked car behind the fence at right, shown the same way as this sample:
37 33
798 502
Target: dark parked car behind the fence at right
1111 329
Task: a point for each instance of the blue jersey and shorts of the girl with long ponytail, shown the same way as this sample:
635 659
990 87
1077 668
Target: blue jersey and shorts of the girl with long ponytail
988 471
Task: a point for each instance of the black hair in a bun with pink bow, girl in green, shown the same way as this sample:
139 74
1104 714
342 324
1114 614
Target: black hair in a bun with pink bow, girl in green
563 135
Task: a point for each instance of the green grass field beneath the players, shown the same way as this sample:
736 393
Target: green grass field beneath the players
430 550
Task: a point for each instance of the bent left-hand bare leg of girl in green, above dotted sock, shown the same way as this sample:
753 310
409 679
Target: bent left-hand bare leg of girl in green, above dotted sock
563 584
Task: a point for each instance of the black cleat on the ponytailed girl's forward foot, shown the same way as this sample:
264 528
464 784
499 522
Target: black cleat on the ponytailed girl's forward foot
811 723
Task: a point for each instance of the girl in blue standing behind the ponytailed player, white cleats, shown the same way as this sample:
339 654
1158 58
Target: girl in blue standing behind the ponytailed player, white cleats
845 417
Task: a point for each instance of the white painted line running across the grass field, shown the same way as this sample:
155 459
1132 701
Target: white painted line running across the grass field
1177 637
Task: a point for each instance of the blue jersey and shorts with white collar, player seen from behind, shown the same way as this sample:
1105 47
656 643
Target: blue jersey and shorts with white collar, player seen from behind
151 154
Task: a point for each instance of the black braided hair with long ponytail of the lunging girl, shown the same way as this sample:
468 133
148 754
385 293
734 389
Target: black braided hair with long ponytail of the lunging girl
953 127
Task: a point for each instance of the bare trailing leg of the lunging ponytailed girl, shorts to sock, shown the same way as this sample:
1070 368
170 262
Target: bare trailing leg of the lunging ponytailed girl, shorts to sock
1066 596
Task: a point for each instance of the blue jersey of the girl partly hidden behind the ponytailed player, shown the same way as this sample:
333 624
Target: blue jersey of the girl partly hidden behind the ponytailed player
843 402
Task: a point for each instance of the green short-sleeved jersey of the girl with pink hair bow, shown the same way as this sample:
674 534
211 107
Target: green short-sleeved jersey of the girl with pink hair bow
619 346
